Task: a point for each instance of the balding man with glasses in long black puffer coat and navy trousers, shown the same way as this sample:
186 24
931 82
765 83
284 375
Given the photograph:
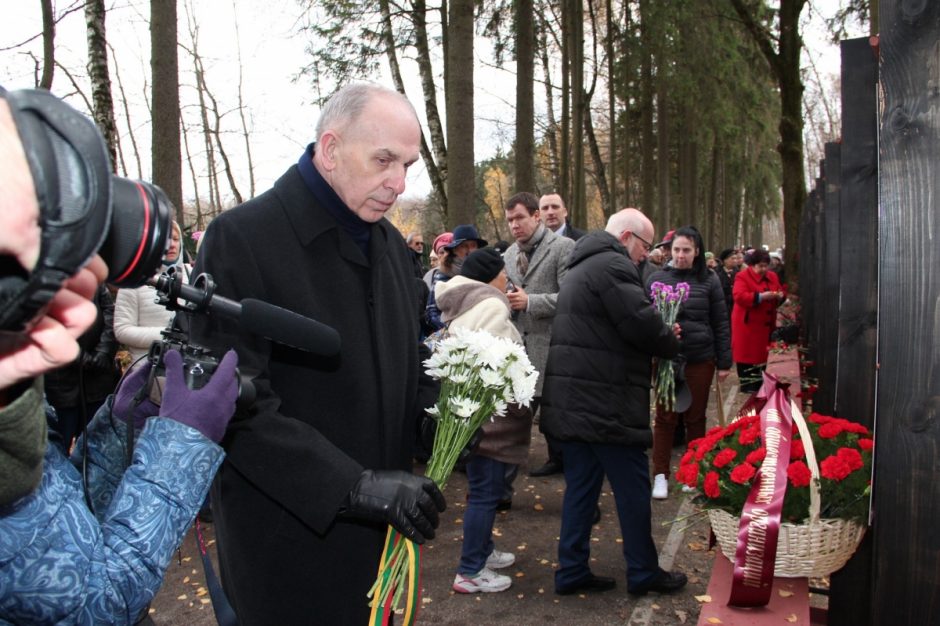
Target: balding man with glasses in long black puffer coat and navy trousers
597 401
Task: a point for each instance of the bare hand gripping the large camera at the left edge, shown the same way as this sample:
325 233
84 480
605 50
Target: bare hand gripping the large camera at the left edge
52 341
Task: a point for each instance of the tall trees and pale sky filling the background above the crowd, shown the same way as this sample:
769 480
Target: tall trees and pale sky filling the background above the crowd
704 112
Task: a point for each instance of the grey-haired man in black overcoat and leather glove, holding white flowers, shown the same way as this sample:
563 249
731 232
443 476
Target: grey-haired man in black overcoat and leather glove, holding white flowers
320 464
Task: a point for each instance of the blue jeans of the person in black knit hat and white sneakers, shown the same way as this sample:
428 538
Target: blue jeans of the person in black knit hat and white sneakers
486 480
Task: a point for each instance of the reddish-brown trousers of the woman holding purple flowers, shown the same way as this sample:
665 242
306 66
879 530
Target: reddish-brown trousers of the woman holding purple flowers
698 377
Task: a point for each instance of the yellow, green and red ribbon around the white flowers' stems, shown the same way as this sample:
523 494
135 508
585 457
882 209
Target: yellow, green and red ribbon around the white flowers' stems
385 596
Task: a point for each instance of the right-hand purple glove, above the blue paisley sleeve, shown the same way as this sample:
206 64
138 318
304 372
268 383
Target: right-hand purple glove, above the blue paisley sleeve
209 409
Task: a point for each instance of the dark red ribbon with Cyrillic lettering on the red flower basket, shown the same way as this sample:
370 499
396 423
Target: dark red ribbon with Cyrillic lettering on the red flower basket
760 521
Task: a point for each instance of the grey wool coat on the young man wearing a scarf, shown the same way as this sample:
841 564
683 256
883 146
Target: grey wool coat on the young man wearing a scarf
542 281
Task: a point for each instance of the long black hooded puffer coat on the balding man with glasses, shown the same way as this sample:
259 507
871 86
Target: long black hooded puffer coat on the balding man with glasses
597 381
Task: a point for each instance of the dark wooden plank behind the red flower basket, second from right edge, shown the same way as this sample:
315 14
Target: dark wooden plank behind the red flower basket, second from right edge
850 592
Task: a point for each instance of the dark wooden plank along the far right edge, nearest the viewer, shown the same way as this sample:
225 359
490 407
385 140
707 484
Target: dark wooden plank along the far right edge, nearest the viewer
906 570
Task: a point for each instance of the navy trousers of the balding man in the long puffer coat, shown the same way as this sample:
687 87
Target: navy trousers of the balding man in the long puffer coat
627 469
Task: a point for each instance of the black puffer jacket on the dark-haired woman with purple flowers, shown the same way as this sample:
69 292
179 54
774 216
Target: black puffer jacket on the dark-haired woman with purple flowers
706 333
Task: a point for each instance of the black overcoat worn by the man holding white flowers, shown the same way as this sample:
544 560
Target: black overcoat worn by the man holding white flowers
318 422
